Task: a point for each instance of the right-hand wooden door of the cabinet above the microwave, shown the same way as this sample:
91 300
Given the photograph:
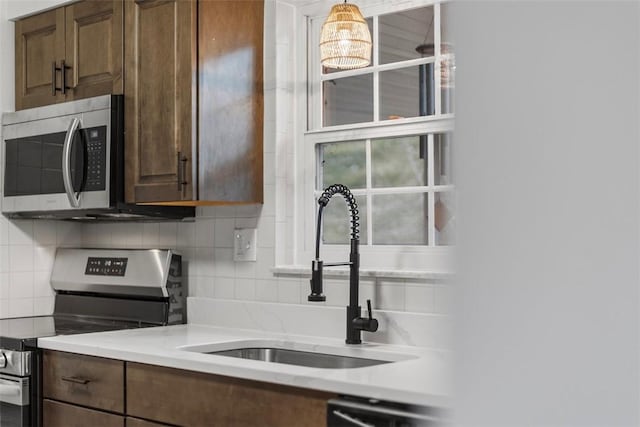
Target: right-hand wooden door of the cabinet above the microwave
94 48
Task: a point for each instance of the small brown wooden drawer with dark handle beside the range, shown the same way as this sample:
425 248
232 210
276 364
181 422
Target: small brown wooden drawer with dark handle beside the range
85 380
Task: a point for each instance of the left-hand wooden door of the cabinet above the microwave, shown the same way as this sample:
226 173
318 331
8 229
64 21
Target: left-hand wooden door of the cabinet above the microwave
39 44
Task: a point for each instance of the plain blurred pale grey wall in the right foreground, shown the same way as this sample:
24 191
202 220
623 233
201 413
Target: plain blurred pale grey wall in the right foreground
548 189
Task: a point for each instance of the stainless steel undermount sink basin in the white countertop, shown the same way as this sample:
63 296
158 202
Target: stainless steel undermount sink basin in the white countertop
299 353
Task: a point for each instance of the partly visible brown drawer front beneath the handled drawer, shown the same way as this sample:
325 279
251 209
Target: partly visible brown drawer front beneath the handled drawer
57 414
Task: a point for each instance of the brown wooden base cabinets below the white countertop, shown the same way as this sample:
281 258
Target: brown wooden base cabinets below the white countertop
84 390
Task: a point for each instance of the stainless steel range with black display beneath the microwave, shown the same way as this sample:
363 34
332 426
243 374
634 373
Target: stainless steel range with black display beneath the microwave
97 290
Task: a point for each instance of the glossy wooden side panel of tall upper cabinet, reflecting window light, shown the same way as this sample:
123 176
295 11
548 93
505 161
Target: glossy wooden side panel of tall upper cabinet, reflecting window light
231 100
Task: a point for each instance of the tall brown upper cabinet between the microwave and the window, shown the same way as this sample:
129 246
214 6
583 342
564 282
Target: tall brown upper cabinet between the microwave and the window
194 101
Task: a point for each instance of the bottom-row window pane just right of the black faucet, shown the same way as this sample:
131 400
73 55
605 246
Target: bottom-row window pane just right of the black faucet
400 219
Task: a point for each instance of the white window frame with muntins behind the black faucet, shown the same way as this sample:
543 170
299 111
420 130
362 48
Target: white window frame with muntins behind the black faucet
396 258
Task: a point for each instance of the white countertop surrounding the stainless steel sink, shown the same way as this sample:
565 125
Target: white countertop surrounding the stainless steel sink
422 378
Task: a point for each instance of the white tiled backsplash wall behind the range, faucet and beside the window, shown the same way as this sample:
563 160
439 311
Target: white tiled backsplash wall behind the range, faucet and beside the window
207 243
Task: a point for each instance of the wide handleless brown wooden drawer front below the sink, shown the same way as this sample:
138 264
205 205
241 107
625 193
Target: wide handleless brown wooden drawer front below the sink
188 398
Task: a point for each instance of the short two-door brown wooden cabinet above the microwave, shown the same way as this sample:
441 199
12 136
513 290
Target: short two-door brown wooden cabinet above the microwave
69 53
